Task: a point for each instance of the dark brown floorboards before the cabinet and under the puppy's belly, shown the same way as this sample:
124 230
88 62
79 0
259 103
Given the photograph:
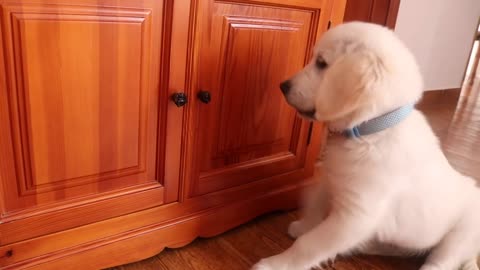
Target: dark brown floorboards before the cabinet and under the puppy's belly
242 247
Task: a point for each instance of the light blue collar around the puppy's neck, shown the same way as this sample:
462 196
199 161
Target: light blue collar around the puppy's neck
380 123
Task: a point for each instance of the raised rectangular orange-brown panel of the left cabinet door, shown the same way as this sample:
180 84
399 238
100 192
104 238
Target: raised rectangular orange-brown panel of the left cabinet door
82 120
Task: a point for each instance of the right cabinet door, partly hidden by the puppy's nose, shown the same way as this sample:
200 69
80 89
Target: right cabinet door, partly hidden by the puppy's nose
244 49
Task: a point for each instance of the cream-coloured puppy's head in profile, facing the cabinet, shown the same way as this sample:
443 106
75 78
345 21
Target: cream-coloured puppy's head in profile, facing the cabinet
358 71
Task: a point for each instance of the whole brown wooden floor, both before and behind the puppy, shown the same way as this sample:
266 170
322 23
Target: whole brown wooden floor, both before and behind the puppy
459 130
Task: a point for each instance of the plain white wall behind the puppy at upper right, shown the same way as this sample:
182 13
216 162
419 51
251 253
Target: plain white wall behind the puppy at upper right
440 34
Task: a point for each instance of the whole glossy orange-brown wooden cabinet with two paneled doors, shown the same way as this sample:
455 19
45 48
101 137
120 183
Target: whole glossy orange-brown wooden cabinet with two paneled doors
99 167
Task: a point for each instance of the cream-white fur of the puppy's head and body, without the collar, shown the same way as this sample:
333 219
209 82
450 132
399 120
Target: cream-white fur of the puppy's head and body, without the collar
389 193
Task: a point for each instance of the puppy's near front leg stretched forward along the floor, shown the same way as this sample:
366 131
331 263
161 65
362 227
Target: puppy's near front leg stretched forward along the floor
339 233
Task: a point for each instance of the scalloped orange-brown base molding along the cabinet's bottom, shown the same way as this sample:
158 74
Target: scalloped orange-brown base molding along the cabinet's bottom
135 245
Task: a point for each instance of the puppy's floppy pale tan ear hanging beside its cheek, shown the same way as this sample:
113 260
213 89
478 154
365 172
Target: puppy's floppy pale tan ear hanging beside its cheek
348 84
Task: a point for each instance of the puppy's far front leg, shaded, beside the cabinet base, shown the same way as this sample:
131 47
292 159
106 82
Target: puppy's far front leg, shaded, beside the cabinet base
315 208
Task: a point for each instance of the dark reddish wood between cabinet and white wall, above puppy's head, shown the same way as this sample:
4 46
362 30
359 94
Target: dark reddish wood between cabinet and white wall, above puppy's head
382 12
